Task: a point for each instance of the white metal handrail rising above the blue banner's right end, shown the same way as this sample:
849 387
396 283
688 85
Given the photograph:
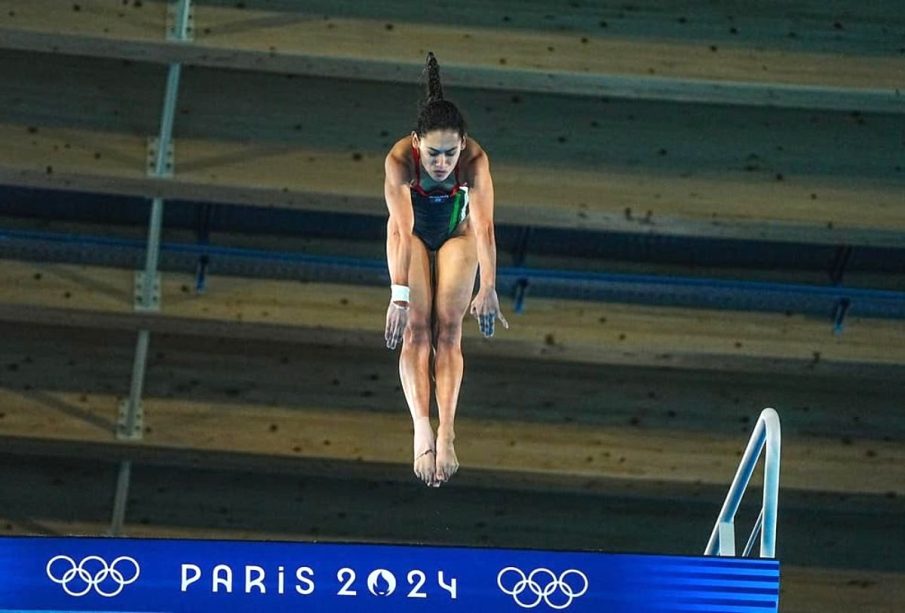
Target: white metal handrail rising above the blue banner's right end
722 539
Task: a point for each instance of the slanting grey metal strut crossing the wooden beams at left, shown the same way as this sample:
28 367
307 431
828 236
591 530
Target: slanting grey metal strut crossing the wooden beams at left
147 294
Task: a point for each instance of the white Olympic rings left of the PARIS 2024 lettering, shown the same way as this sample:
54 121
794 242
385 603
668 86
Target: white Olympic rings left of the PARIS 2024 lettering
108 580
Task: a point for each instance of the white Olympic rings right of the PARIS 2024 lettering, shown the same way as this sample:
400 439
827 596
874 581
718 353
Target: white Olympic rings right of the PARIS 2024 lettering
527 592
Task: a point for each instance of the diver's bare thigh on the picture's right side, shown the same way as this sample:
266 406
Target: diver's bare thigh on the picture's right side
457 265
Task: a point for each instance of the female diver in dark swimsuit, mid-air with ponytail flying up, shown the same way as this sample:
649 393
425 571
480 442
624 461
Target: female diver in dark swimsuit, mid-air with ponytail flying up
440 232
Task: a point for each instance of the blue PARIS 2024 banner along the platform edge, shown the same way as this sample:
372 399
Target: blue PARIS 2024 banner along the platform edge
148 575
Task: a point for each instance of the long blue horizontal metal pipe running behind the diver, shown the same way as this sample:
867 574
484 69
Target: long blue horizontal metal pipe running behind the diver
642 289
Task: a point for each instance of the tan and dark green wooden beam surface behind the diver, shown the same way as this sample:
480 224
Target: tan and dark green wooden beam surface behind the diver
271 409
